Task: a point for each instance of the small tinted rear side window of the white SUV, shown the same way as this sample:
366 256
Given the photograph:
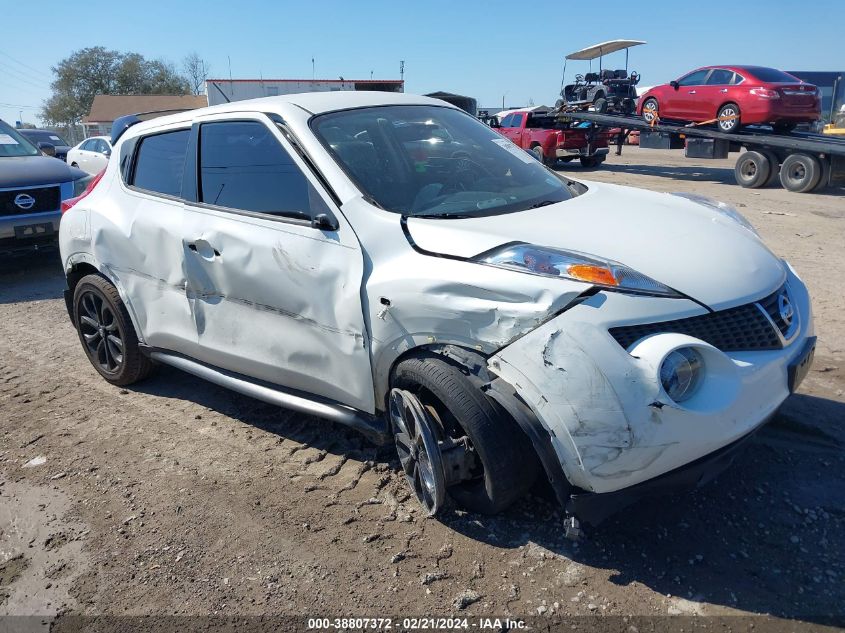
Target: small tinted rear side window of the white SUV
160 162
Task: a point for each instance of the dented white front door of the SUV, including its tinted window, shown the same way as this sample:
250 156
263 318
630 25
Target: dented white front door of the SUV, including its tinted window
272 296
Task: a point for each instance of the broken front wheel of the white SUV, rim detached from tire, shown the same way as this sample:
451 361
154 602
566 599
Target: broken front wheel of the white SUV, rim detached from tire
453 440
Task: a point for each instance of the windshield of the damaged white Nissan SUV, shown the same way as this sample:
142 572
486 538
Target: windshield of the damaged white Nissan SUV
436 162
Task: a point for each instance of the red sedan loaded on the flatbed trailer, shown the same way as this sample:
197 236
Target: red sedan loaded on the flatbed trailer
736 96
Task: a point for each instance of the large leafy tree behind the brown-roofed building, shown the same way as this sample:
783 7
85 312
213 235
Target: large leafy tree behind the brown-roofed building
96 70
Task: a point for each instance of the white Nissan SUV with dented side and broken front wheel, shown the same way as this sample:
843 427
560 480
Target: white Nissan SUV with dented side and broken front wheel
494 318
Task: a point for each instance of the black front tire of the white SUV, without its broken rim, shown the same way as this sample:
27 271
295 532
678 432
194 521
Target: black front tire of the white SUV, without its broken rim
509 465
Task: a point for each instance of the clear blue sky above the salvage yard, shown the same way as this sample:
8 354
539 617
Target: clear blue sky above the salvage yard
482 49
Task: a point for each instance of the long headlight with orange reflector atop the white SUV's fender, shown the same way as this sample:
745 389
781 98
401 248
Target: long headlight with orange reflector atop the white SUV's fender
552 262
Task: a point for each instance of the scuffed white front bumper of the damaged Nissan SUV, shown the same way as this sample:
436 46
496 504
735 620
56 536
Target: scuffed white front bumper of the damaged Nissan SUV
603 413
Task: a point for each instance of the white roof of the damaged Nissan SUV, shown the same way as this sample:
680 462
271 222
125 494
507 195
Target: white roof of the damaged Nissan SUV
311 102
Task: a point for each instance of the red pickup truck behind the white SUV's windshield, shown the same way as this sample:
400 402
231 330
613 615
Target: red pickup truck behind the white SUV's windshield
551 141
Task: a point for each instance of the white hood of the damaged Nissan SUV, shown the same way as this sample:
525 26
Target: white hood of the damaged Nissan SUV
680 243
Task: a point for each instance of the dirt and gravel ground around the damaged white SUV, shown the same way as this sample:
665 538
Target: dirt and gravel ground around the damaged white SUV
176 497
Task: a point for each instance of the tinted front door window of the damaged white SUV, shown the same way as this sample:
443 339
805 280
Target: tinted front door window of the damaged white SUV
243 167
